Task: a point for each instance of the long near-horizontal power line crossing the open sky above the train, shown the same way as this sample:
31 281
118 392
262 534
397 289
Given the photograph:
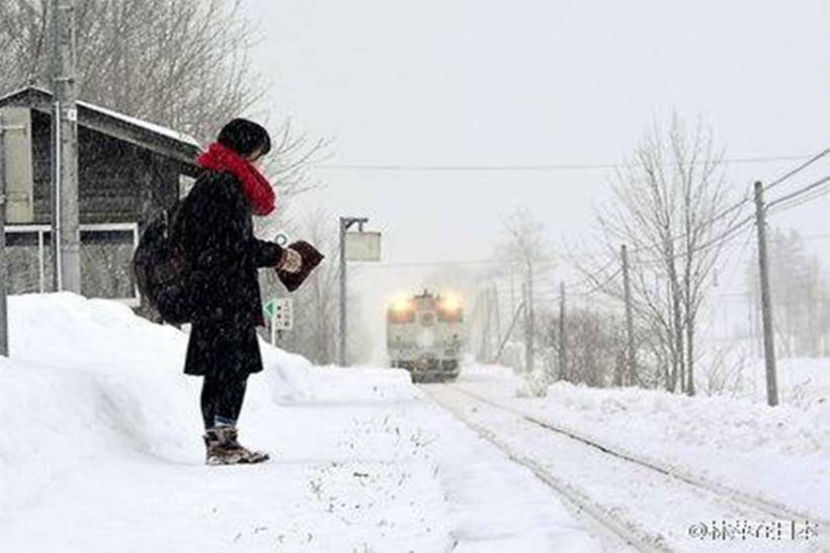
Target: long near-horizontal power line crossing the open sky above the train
525 168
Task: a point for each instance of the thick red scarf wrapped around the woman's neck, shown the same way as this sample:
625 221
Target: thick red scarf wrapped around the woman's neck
257 189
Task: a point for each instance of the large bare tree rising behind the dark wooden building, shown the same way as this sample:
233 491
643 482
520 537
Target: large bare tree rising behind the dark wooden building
184 64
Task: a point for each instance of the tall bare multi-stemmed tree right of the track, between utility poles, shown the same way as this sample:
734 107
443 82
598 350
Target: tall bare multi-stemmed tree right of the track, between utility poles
668 207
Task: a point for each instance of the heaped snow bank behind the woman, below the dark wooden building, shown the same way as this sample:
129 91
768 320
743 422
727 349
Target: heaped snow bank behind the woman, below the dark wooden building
87 378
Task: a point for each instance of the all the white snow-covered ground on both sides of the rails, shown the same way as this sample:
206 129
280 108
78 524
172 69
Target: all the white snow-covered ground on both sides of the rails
102 451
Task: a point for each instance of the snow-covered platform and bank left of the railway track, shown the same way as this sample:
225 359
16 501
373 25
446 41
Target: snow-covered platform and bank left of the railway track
102 451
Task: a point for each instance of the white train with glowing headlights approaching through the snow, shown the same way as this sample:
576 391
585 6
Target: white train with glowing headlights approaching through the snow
424 335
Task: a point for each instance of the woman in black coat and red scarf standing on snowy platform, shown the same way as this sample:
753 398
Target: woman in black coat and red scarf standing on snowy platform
217 235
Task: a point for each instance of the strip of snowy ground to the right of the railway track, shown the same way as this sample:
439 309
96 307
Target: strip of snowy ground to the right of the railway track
780 453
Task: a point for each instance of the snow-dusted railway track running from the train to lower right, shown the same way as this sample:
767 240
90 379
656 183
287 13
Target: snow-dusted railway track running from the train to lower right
611 520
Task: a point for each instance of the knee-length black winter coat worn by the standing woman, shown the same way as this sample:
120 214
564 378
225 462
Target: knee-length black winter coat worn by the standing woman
217 235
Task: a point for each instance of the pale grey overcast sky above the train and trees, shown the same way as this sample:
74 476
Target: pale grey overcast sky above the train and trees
535 82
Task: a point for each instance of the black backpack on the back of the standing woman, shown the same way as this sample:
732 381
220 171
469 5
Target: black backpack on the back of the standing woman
161 268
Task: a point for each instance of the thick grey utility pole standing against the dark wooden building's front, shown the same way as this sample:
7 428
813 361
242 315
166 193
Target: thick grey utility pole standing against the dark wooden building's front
66 236
